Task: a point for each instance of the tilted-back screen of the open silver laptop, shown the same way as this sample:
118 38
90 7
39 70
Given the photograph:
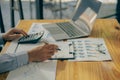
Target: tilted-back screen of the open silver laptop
86 10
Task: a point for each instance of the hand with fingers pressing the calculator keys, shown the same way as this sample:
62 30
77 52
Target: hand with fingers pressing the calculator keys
13 33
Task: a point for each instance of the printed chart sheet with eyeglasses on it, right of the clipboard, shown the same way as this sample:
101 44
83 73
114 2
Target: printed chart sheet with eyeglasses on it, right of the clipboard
90 49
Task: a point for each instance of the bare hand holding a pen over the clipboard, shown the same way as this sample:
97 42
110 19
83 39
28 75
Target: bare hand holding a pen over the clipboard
42 53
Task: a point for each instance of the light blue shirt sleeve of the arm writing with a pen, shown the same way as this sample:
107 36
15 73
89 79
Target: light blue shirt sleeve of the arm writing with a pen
12 61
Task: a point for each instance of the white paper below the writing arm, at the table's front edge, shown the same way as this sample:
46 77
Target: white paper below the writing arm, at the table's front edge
35 71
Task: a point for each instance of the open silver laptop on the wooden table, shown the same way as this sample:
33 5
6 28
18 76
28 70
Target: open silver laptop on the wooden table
80 25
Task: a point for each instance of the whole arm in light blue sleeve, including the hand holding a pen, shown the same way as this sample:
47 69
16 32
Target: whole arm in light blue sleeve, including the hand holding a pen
12 61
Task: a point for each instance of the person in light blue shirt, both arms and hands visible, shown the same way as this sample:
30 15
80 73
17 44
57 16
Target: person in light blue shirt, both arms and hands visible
9 62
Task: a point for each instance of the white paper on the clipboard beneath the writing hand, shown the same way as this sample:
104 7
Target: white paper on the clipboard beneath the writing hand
65 49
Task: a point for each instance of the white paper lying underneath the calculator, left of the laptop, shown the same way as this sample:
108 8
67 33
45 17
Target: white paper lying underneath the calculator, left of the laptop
35 28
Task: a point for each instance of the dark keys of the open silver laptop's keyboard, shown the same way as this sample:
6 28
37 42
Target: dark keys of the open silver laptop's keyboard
69 29
